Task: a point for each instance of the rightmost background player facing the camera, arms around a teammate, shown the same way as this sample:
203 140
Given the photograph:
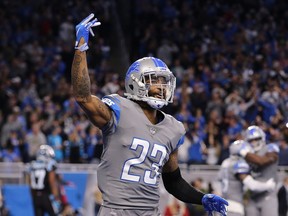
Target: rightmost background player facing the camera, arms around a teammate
264 164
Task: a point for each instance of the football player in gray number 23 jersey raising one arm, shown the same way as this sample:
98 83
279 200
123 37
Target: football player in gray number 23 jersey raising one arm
140 141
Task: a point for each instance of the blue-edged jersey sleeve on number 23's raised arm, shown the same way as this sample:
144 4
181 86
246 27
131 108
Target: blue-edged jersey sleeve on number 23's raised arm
114 104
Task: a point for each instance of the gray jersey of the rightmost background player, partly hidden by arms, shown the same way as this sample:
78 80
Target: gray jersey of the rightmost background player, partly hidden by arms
264 173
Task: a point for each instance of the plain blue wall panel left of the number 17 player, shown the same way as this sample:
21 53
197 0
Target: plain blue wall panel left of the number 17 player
17 198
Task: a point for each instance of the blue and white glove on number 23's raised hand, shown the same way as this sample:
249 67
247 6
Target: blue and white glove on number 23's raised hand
82 31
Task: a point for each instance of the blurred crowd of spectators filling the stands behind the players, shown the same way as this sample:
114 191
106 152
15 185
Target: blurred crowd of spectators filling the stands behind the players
230 60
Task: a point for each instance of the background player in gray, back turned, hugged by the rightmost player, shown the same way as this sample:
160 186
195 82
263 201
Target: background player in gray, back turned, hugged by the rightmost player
235 178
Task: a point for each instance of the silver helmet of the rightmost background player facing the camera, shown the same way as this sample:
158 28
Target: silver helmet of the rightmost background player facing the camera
256 137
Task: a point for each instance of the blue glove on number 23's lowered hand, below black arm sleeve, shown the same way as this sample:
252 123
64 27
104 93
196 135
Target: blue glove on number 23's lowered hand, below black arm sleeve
212 202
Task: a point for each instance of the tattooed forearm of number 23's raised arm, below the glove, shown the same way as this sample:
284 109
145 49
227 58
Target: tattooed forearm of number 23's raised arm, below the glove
80 79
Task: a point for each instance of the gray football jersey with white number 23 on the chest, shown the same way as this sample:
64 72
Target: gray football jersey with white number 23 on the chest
134 153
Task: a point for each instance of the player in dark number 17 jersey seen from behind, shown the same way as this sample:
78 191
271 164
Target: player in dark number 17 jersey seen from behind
43 183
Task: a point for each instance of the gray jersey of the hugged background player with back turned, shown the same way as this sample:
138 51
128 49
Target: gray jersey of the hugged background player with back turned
232 188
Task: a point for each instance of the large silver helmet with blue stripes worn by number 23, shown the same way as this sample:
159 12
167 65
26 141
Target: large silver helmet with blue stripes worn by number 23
140 77
